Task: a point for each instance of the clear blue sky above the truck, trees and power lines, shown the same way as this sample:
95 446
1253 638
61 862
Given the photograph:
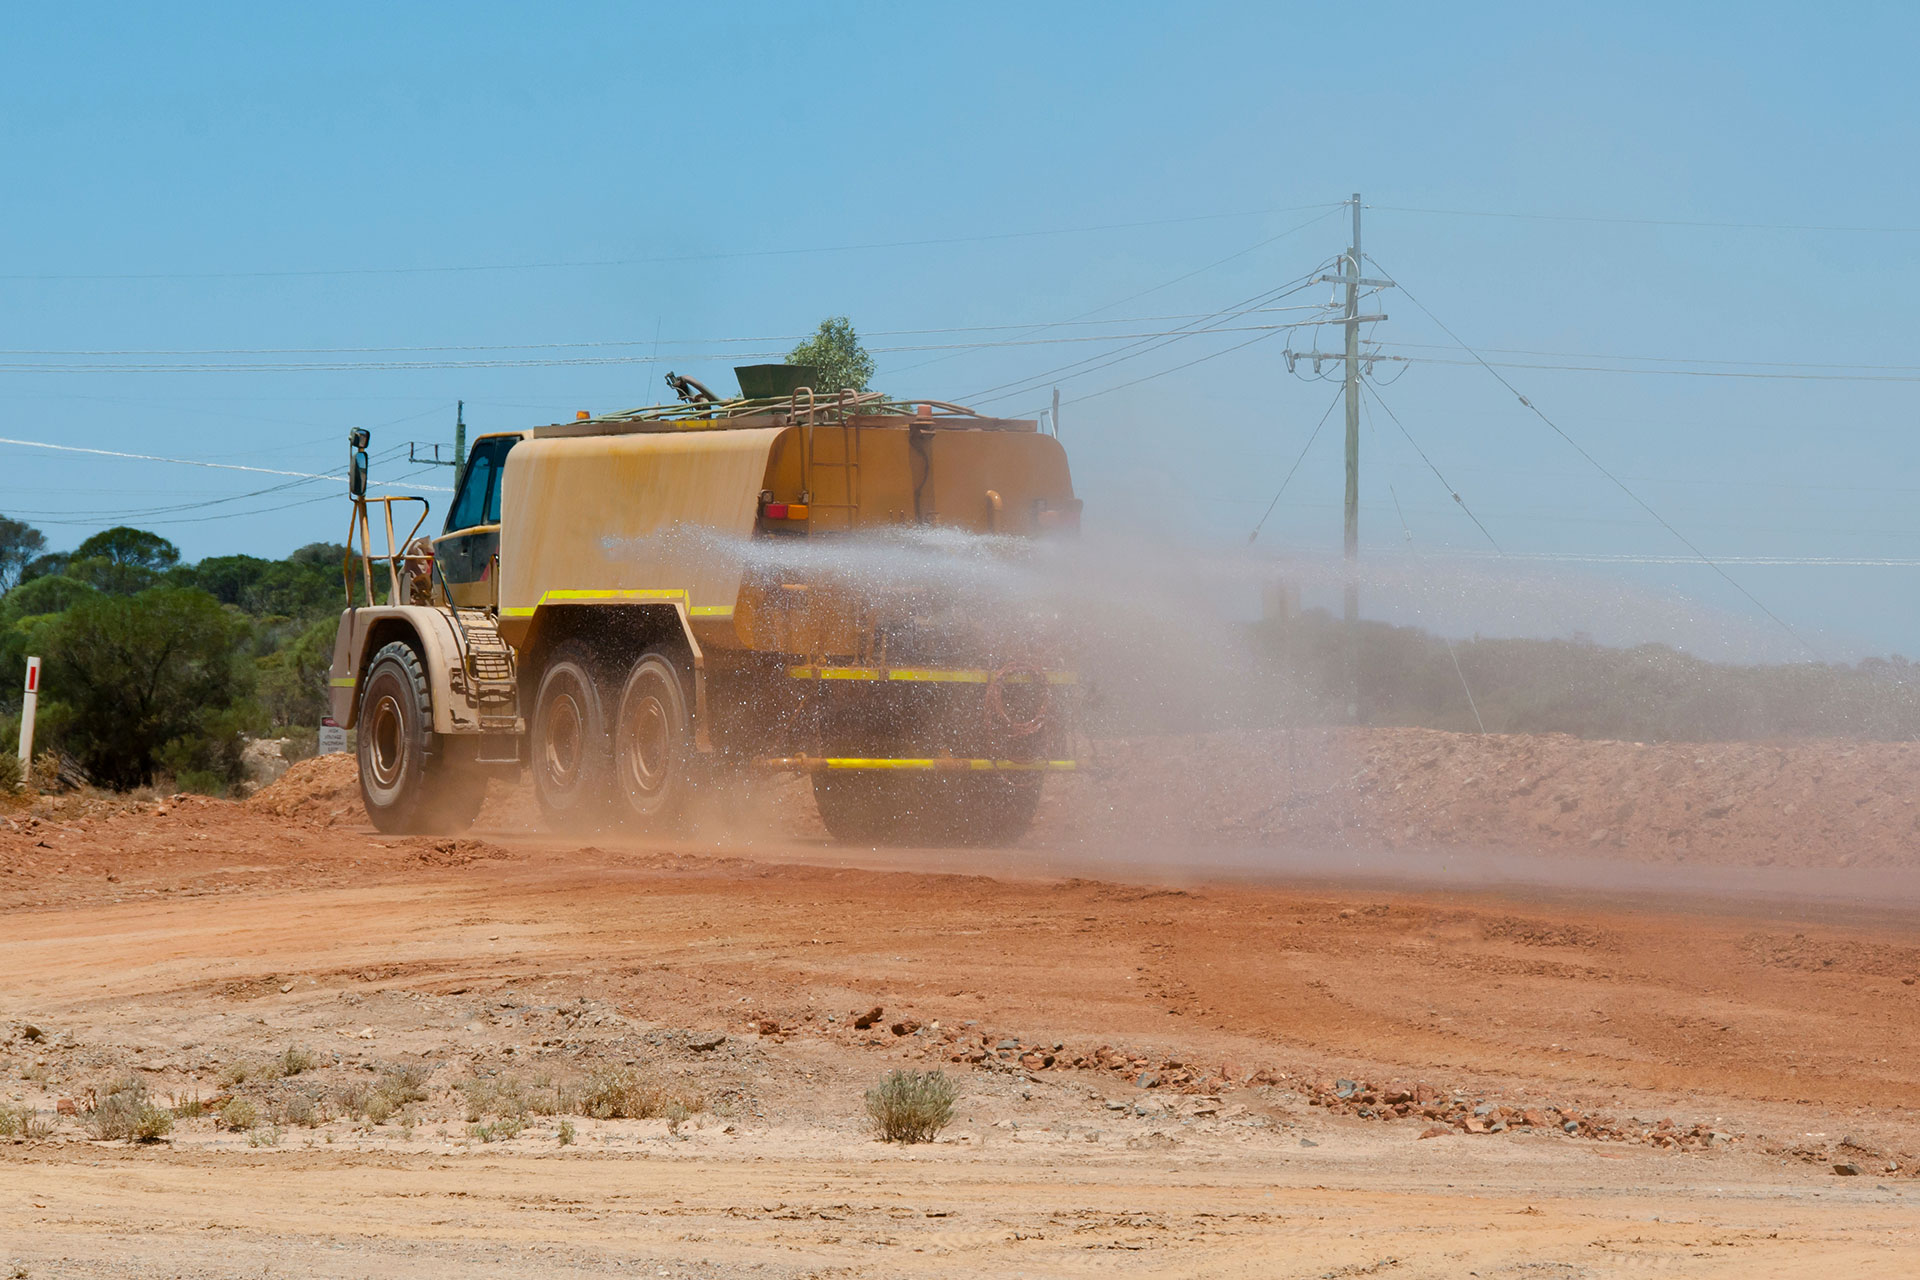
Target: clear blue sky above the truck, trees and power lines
1704 185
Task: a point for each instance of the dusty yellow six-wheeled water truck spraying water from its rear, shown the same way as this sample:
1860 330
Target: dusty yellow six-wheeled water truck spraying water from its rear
633 607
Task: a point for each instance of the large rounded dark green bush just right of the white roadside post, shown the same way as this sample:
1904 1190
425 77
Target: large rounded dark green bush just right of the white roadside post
147 682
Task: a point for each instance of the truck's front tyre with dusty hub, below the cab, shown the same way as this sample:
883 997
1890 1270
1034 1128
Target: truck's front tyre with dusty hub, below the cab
408 784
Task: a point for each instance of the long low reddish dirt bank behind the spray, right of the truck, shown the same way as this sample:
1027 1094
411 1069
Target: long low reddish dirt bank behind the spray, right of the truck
1802 803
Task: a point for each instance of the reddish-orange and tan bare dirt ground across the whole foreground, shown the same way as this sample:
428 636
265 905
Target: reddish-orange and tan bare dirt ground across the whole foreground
1159 1079
